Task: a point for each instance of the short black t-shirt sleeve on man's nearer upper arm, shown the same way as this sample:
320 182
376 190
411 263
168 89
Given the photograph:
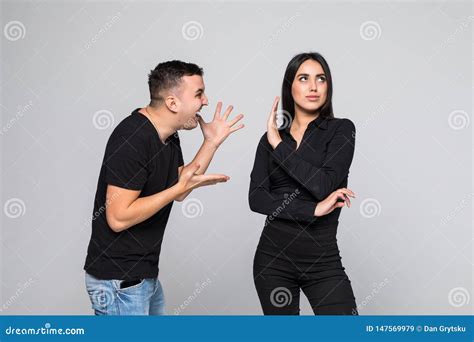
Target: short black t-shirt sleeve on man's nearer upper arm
126 160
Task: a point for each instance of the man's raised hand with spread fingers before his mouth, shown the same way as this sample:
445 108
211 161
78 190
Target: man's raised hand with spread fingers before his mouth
217 130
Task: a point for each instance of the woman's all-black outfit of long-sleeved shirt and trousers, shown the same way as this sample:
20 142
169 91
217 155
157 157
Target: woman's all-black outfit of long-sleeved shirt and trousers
298 250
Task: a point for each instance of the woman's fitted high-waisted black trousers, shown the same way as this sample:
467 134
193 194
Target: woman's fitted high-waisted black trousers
290 258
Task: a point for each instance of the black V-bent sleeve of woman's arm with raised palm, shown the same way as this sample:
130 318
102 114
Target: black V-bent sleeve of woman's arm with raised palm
321 180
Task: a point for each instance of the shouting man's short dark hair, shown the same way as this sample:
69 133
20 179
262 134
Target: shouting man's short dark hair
167 75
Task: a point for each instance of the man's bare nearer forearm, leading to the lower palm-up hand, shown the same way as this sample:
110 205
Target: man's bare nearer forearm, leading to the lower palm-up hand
144 207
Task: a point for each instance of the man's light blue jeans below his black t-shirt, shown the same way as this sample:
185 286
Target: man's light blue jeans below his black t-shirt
107 298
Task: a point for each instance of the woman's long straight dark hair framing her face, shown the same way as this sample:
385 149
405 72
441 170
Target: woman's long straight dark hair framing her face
287 102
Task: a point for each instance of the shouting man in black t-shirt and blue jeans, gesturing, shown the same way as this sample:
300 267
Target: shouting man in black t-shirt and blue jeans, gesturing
141 175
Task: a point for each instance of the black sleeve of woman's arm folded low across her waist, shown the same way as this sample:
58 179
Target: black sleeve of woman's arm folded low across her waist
264 201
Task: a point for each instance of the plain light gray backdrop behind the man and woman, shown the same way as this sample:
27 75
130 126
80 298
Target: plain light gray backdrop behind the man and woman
402 73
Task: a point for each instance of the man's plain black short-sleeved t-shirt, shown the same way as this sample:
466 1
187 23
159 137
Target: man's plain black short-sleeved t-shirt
136 159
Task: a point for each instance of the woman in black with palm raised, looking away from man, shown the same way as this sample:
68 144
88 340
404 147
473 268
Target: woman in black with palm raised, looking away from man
299 181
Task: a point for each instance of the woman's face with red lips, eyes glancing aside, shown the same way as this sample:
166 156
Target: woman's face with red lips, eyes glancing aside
309 88
